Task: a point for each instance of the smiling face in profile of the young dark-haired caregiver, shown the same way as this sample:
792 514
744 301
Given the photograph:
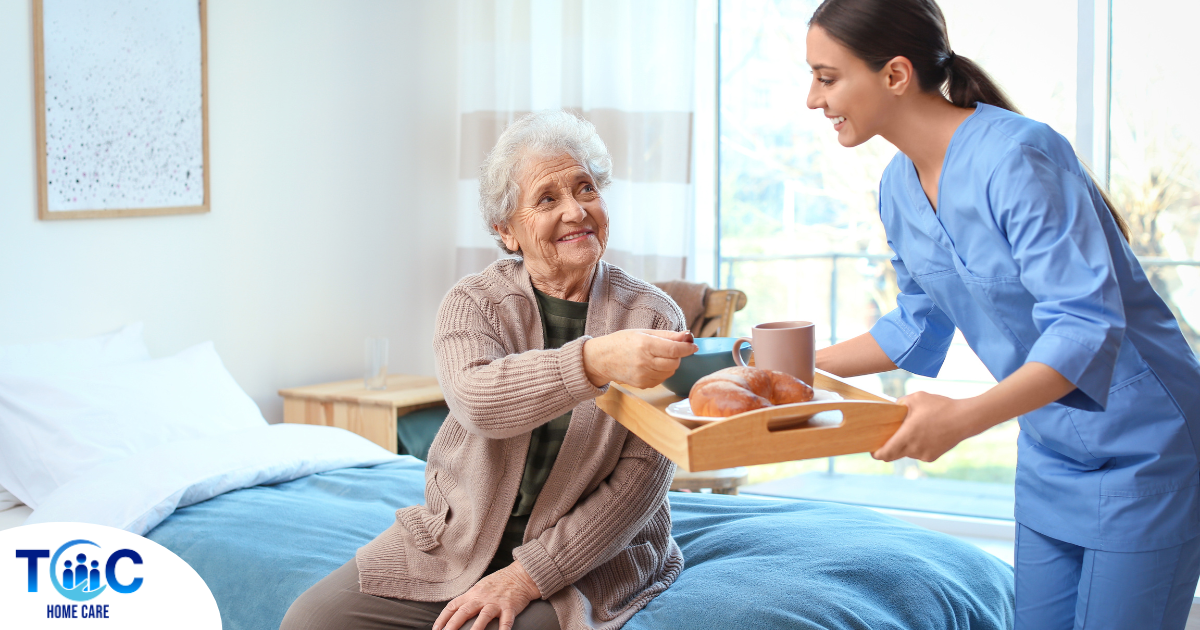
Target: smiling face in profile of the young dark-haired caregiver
855 99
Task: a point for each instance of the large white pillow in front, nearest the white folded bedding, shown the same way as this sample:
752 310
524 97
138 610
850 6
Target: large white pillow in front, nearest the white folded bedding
55 429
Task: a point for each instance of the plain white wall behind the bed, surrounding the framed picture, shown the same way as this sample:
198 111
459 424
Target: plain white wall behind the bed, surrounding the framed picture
333 139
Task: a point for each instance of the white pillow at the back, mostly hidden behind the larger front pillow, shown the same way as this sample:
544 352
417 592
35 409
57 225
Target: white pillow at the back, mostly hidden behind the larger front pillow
58 358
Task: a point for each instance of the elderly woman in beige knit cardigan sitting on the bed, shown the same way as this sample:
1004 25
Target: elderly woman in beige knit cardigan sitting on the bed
541 511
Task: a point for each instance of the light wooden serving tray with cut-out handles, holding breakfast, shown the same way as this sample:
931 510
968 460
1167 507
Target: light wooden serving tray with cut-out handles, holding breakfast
783 434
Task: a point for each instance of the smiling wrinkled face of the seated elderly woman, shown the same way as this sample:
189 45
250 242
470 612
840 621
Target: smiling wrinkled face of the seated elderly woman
561 226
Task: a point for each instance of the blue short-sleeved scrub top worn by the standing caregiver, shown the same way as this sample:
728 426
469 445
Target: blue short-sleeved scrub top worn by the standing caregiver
1024 257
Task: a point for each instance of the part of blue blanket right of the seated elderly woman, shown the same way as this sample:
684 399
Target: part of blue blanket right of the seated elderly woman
752 563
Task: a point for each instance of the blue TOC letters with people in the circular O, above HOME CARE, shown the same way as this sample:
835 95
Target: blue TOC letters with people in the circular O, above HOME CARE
81 577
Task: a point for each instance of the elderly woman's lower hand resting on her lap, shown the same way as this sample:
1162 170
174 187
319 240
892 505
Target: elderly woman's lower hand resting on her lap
501 596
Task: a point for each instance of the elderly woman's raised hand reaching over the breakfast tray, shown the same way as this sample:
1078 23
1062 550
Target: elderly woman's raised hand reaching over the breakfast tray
640 358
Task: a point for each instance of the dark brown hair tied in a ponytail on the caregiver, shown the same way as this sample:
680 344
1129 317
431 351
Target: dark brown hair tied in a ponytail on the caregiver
881 31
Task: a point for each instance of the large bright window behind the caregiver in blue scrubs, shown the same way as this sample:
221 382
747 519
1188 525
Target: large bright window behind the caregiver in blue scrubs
800 232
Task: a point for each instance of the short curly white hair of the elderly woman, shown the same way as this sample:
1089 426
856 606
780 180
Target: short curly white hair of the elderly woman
539 135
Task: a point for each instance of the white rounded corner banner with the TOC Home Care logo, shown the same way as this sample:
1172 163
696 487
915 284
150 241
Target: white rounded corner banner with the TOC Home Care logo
69 575
